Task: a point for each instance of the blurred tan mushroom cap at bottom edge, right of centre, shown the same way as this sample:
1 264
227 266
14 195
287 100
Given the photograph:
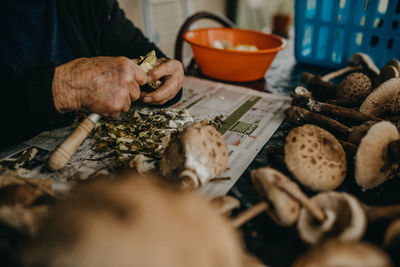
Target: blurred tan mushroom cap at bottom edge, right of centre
344 254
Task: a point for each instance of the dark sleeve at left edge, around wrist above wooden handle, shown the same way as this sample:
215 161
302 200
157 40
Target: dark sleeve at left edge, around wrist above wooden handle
27 106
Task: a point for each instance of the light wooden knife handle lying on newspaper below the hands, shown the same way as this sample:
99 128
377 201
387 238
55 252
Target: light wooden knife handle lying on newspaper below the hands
67 148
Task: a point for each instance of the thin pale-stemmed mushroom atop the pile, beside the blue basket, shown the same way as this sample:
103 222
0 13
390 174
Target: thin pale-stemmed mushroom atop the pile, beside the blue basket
357 62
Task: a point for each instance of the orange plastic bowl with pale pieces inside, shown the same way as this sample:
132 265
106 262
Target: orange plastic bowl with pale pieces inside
233 65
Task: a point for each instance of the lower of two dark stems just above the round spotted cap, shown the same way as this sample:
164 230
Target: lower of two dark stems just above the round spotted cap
302 116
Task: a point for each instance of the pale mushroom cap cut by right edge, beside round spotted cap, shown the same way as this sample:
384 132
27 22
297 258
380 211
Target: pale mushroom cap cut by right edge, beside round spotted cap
370 162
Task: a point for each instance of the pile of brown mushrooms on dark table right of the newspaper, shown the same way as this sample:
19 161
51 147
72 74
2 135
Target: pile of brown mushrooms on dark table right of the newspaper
345 130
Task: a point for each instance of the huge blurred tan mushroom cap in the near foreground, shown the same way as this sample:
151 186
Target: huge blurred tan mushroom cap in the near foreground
135 221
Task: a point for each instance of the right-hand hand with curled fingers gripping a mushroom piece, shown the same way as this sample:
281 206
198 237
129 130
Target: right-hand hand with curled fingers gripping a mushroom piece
172 71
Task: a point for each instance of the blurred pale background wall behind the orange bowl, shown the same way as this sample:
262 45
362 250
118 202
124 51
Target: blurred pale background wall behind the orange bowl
160 20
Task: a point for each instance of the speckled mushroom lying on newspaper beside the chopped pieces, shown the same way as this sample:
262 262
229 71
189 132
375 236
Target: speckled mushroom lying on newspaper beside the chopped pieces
194 157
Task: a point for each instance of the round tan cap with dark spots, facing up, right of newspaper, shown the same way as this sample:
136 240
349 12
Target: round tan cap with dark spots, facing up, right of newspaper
315 157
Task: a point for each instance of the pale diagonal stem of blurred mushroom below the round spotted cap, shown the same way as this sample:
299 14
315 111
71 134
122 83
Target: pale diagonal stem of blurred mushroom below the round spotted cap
296 193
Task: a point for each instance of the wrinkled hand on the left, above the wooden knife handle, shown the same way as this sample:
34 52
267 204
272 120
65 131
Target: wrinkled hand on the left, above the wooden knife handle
104 85
